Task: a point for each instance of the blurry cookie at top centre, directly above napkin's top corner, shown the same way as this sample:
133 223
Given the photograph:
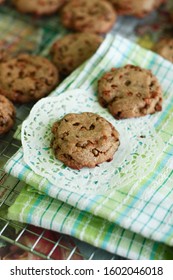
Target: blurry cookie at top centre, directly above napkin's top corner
93 16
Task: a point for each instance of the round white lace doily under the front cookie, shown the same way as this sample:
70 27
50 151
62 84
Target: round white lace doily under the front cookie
137 154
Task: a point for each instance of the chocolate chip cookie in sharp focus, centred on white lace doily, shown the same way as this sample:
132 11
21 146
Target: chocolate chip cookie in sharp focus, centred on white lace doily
84 140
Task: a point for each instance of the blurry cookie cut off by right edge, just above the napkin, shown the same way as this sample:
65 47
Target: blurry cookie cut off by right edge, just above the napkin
165 48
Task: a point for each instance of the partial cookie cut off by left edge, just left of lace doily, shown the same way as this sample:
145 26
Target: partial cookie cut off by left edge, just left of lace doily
7 115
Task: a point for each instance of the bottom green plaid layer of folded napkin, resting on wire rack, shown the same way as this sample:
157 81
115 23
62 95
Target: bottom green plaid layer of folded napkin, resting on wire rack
41 210
